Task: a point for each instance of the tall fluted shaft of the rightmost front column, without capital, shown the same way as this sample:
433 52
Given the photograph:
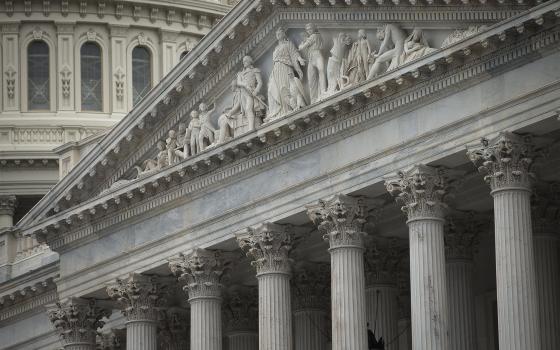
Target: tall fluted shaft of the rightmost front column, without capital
515 271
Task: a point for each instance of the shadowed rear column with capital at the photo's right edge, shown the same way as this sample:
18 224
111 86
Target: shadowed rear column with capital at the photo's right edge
546 220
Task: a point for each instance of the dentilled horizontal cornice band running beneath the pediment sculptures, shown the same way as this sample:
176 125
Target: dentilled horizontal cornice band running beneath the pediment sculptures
67 229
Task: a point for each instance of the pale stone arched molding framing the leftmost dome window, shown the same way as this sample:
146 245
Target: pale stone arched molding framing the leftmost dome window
31 37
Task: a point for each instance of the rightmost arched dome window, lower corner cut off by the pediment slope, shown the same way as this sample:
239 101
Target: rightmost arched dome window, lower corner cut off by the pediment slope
141 73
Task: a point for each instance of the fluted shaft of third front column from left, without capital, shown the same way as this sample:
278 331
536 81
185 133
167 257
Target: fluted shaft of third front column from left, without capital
206 323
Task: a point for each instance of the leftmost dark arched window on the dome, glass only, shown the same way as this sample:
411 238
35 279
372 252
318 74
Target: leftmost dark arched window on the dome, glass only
38 76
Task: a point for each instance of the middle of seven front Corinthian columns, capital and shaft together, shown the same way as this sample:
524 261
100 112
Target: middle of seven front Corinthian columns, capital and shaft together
268 245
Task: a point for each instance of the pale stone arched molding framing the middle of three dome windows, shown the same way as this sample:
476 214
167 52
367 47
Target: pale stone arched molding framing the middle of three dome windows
105 87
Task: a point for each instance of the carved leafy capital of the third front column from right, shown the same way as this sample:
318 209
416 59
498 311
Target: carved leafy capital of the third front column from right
341 219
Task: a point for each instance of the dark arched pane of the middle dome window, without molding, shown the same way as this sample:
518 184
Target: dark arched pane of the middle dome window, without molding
90 61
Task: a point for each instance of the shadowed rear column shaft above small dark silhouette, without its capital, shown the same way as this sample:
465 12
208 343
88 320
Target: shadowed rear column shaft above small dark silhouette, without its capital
382 313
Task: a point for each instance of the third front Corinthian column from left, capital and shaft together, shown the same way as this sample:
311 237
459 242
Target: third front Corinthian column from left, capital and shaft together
202 272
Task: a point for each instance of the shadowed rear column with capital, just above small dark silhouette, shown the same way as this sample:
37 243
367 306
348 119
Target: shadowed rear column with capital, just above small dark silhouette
382 262
